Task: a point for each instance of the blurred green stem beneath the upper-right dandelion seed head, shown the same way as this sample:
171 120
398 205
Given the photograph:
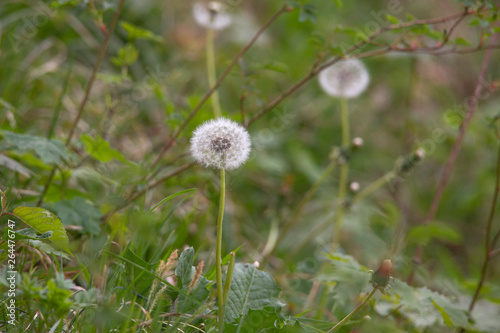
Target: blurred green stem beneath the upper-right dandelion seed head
344 175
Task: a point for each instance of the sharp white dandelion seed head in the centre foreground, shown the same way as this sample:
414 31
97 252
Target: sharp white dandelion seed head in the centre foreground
220 143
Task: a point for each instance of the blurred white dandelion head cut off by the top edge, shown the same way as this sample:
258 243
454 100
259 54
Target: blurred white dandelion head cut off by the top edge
212 15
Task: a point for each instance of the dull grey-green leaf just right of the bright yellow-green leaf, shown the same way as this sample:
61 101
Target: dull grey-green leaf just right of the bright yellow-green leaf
79 211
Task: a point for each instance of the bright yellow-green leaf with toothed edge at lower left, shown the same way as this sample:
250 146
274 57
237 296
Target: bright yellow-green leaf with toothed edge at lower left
43 221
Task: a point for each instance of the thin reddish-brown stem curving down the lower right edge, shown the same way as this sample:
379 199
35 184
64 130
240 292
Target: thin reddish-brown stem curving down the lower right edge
488 246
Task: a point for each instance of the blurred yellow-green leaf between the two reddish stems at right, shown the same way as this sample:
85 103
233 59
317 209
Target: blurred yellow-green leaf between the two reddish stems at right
422 234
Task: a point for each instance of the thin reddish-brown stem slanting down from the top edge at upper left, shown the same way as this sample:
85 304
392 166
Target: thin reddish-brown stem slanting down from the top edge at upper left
100 57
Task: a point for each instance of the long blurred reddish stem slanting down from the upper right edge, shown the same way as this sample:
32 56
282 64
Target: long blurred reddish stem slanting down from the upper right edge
443 181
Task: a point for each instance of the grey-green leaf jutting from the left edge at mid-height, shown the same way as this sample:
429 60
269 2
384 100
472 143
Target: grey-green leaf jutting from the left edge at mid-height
48 150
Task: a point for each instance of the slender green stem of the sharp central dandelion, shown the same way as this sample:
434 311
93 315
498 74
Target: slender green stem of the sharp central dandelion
218 255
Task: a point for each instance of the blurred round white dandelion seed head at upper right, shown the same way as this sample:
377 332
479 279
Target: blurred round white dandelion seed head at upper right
347 78
